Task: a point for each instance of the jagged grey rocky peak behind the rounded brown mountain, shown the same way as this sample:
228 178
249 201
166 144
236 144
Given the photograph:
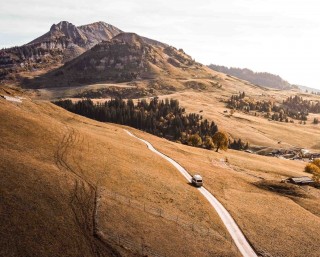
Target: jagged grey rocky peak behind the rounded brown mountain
63 42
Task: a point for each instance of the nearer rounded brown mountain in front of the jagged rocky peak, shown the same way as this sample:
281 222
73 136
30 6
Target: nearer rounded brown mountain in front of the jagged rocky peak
126 57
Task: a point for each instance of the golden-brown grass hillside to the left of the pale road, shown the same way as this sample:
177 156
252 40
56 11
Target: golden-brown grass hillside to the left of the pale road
50 163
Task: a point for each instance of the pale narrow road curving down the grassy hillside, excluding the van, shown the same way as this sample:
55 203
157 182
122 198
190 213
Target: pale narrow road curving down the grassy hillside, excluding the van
236 234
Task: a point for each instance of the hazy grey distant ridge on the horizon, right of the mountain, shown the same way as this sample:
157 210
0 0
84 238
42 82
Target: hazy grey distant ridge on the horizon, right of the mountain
264 79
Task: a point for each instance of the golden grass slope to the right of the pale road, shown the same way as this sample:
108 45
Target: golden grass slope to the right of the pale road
275 221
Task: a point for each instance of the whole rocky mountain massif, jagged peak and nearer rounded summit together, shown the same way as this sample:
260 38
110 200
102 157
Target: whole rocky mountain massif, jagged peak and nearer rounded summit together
68 55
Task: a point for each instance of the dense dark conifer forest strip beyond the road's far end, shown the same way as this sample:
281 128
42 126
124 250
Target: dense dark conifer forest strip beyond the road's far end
163 118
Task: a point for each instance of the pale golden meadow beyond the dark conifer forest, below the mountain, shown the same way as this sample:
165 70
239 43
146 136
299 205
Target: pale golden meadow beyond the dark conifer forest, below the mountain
208 96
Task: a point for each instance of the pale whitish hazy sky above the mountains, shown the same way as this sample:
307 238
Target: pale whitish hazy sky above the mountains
277 36
